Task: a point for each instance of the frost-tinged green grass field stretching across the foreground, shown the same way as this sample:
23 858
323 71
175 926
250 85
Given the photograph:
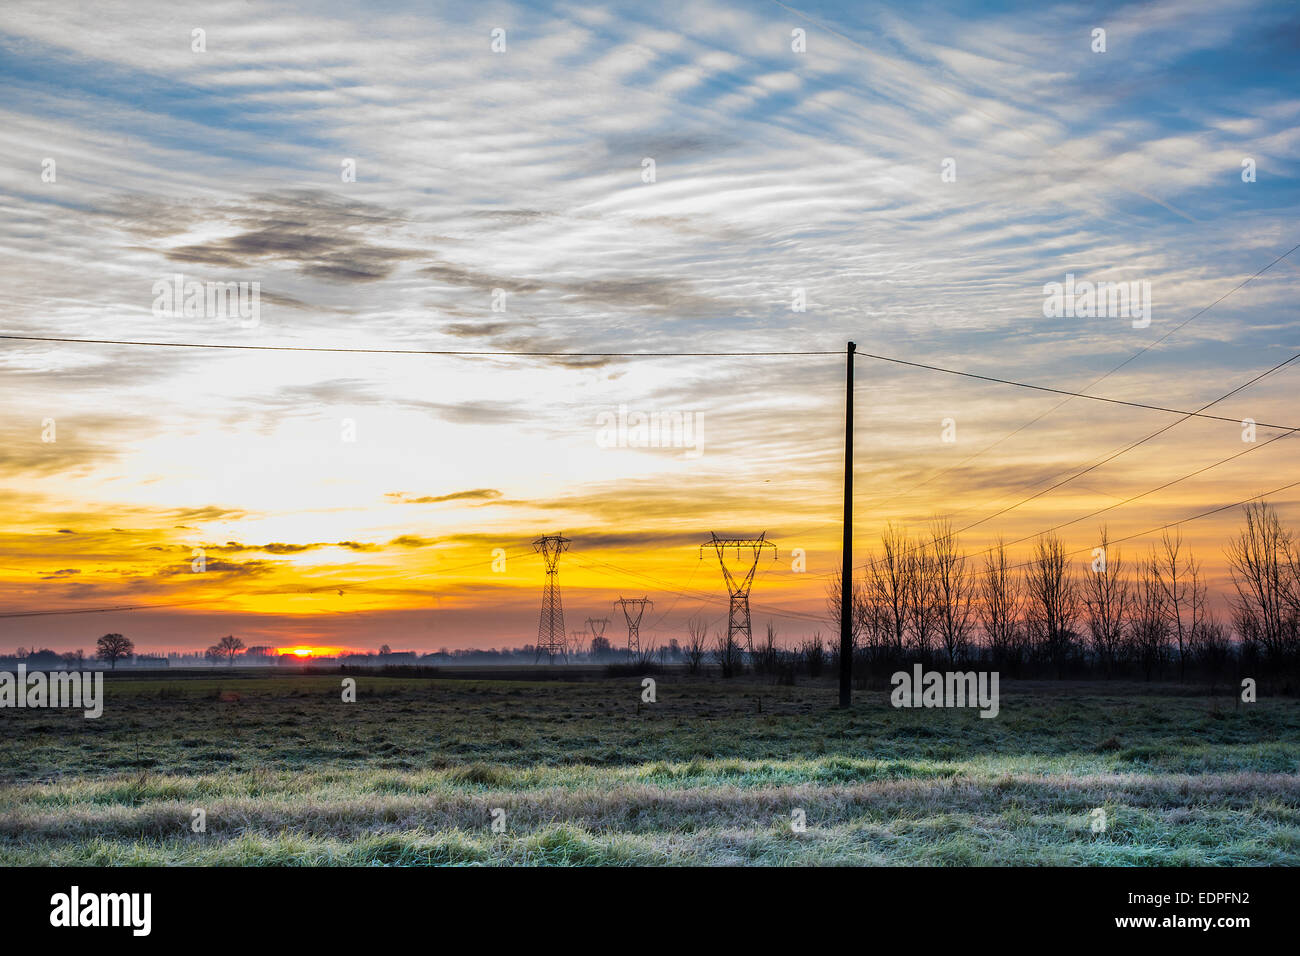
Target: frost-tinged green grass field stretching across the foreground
411 773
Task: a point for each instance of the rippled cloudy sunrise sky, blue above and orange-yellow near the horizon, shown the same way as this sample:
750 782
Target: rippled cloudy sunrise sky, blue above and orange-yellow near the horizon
673 178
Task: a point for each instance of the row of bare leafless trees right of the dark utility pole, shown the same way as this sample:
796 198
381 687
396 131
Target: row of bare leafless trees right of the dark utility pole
924 599
